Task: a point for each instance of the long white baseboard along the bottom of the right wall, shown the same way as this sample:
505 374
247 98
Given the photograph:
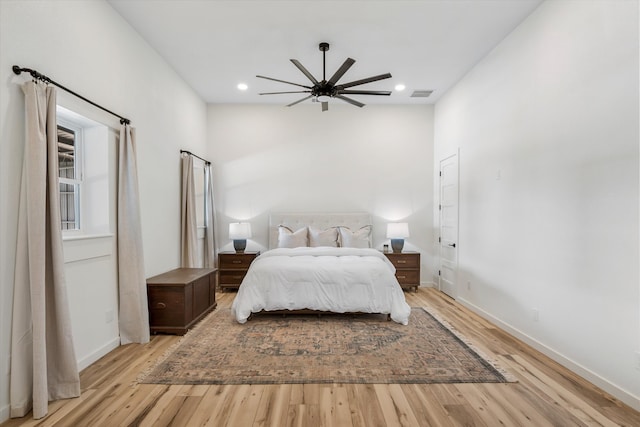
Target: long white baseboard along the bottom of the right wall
603 383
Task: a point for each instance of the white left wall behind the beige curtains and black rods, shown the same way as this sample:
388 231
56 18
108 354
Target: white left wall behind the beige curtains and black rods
88 47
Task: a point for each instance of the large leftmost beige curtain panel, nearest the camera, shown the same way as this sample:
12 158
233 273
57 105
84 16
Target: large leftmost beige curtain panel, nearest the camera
43 361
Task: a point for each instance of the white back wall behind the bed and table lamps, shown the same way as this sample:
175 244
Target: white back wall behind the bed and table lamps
378 159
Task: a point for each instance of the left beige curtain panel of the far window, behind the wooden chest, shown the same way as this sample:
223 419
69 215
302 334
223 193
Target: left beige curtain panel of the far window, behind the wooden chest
189 225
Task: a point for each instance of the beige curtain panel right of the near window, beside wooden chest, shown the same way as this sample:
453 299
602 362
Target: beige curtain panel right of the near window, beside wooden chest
132 285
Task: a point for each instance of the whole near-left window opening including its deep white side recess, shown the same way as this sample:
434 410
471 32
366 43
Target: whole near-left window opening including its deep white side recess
84 158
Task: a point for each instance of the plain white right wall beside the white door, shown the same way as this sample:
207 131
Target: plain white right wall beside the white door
553 111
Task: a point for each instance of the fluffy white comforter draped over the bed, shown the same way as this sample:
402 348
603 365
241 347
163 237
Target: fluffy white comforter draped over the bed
339 280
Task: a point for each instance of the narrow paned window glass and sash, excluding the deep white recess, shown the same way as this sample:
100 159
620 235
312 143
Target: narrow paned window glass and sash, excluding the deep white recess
70 173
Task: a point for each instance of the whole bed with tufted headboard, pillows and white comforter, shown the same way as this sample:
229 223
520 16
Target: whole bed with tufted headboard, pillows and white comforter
323 263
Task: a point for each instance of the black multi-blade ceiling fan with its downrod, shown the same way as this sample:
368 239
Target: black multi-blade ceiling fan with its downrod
323 90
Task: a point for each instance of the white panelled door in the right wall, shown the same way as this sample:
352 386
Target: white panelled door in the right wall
448 239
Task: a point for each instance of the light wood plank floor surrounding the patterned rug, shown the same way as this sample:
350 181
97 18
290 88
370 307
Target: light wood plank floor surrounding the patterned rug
546 394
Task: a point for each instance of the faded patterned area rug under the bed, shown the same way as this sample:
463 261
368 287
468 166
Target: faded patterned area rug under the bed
333 348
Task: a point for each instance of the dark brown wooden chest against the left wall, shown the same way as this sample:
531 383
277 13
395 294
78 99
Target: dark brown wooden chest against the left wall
179 298
